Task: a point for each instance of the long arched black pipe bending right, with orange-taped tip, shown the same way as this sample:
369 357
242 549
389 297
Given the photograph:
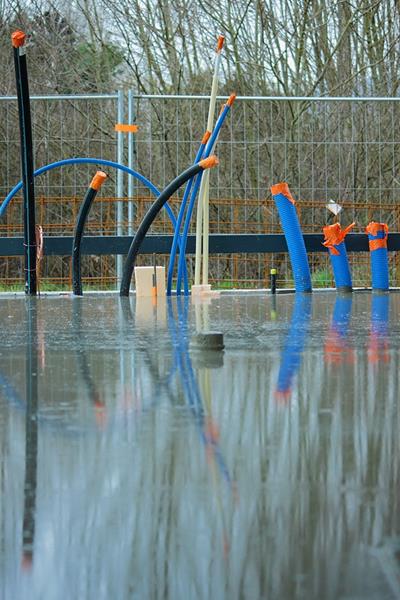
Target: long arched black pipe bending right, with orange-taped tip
151 214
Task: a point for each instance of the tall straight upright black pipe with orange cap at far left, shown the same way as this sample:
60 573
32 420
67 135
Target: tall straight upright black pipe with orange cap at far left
25 129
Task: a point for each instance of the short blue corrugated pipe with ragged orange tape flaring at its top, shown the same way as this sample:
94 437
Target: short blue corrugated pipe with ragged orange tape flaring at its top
334 241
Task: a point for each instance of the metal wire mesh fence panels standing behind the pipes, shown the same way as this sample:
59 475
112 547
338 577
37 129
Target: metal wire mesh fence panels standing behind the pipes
343 149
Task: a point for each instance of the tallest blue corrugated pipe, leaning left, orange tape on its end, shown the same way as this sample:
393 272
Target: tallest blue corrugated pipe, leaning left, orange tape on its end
294 238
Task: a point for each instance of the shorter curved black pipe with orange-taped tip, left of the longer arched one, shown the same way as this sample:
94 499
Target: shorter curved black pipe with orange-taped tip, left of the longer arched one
91 194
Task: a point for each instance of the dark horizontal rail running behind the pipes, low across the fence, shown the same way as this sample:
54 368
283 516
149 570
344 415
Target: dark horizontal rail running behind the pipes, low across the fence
161 244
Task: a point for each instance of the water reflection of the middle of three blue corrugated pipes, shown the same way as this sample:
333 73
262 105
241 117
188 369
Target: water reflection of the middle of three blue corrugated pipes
336 345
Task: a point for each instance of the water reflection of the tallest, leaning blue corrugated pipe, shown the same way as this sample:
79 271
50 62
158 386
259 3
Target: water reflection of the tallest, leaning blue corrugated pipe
294 345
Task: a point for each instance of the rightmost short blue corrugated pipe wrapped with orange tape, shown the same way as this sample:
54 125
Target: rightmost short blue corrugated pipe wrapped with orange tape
377 235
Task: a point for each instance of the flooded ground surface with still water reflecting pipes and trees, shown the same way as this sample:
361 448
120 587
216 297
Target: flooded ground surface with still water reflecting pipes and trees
134 467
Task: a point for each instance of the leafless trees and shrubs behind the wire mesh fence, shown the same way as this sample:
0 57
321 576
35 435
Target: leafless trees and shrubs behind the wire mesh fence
273 48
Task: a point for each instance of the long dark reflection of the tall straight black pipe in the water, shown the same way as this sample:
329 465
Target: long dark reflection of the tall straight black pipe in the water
31 436
